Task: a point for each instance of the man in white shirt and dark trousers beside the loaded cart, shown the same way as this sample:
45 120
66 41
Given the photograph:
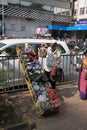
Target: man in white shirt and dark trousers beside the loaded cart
52 61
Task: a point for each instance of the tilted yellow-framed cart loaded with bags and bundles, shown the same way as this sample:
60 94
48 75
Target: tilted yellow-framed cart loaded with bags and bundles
44 98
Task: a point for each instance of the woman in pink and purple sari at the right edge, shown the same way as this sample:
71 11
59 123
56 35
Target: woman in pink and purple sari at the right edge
83 77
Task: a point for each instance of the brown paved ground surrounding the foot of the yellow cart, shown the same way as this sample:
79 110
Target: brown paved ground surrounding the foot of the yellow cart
72 114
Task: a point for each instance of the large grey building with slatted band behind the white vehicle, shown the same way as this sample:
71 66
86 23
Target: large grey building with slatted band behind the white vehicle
20 18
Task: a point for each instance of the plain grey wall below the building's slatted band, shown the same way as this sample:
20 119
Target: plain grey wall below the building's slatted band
20 27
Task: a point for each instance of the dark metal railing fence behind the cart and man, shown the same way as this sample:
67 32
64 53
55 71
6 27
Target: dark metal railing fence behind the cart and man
12 78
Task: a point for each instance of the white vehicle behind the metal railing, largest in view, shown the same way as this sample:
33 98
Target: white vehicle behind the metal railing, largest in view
9 60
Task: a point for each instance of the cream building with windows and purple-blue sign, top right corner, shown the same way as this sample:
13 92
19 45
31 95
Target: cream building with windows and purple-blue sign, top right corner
80 17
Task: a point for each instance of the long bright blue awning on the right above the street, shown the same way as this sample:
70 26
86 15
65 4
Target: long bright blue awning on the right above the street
69 28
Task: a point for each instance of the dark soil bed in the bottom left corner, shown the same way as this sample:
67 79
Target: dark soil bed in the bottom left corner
8 112
